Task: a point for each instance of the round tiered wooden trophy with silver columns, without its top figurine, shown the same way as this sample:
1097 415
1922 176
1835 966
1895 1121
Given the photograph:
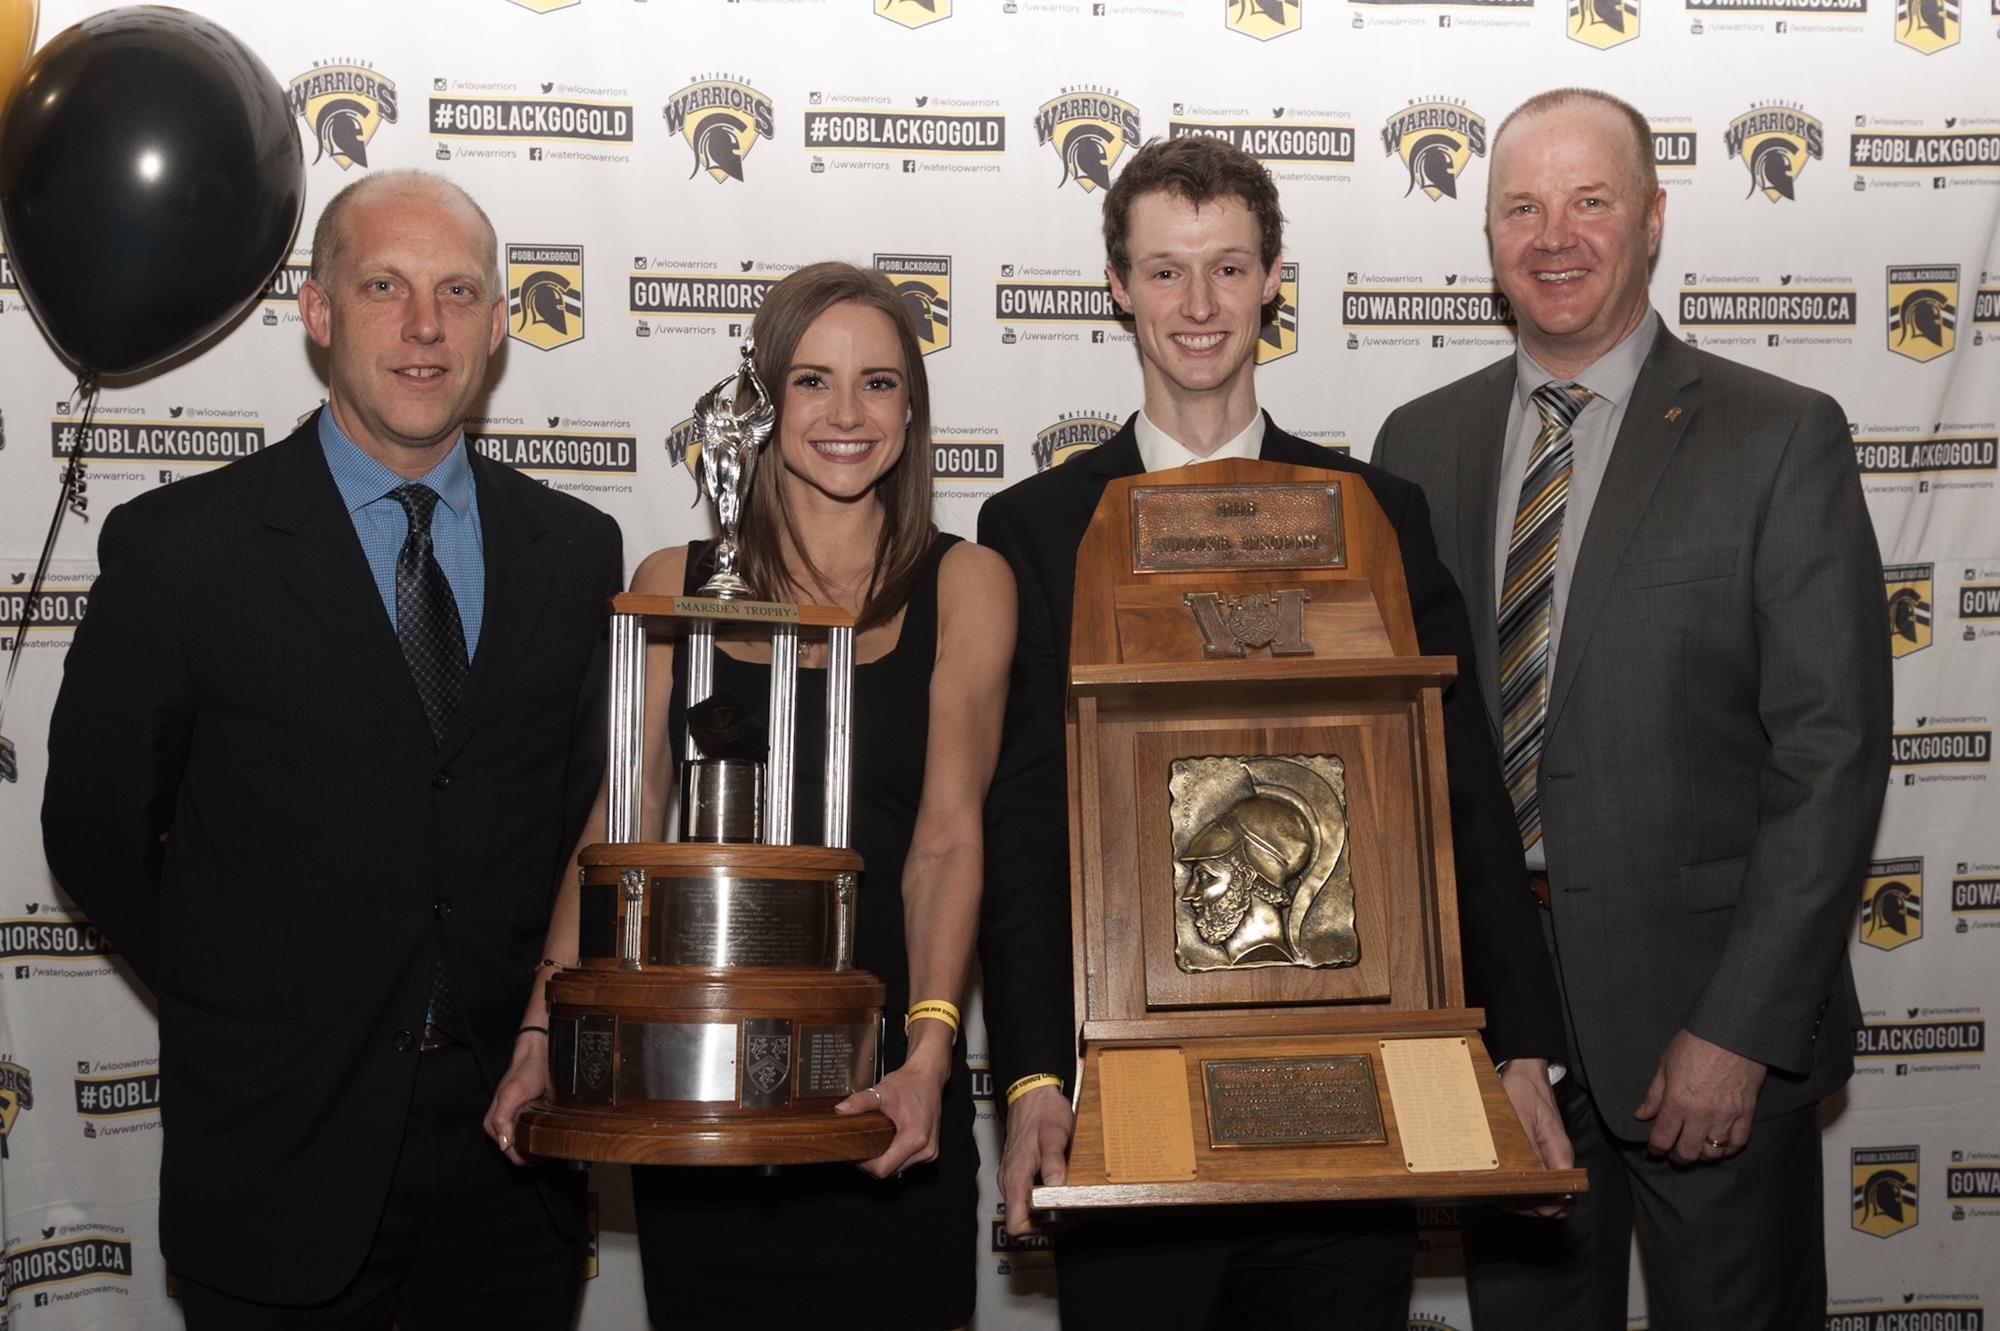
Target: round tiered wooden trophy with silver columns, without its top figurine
715 1016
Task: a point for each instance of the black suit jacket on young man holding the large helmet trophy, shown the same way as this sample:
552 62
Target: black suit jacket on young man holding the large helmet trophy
1025 928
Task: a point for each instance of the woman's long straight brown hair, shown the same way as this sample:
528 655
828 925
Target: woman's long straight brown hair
905 491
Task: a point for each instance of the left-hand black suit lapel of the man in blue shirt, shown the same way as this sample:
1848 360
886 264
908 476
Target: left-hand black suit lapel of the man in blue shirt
321 559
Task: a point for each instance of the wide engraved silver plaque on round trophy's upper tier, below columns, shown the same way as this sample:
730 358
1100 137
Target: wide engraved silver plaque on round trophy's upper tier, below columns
743 922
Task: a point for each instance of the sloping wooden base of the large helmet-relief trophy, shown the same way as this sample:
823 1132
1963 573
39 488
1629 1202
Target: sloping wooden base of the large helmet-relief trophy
1297 1118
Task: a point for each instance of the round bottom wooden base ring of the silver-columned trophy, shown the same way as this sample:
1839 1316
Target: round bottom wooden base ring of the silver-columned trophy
621 1138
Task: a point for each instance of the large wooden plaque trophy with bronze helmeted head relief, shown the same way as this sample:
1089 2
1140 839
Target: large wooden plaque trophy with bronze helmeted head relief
1263 894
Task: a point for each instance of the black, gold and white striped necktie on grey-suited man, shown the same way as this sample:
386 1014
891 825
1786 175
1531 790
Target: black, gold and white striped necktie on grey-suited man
1527 603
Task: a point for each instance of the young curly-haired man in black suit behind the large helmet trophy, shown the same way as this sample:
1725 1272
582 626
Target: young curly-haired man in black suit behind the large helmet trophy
1193 237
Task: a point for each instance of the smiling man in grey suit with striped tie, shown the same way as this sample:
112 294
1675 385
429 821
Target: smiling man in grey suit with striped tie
1677 619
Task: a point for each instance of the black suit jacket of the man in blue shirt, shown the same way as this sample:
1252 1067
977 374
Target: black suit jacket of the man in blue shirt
245 796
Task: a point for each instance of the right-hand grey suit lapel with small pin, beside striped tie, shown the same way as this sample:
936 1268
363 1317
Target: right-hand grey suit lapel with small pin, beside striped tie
1647 443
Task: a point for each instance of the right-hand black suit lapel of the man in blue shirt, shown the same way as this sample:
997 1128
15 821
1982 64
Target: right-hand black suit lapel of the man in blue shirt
517 587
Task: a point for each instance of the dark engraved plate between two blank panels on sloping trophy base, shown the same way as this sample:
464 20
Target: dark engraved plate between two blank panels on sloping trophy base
1293 1102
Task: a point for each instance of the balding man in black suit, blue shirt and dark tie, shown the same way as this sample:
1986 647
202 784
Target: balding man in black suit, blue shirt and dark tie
323 746
